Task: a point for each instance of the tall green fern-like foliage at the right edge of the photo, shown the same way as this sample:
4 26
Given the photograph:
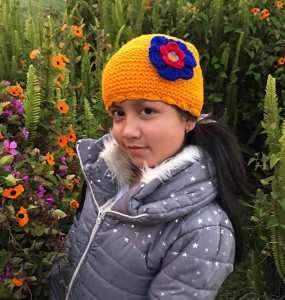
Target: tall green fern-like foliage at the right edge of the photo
269 208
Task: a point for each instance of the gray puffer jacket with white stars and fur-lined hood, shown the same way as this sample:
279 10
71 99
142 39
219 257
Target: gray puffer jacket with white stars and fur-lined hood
164 238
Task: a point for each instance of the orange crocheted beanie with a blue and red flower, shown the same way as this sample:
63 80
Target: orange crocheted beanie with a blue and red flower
155 67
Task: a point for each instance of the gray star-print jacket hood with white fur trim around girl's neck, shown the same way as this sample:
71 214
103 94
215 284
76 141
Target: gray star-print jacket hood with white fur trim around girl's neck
176 187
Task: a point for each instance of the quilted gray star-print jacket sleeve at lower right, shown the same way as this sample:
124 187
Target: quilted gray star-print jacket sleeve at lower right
195 266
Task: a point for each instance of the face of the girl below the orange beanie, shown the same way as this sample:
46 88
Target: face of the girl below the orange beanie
149 132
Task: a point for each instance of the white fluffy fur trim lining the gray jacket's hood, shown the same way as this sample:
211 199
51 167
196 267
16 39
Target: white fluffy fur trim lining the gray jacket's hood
124 172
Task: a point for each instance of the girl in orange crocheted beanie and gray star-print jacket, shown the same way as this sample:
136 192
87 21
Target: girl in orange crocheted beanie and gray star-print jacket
159 219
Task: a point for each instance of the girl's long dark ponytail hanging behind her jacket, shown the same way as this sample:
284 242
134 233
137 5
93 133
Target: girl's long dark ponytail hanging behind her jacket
218 142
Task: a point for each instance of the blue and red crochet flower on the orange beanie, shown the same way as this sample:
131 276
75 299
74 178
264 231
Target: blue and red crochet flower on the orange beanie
172 58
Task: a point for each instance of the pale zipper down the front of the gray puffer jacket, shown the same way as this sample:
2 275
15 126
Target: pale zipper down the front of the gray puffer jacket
100 217
